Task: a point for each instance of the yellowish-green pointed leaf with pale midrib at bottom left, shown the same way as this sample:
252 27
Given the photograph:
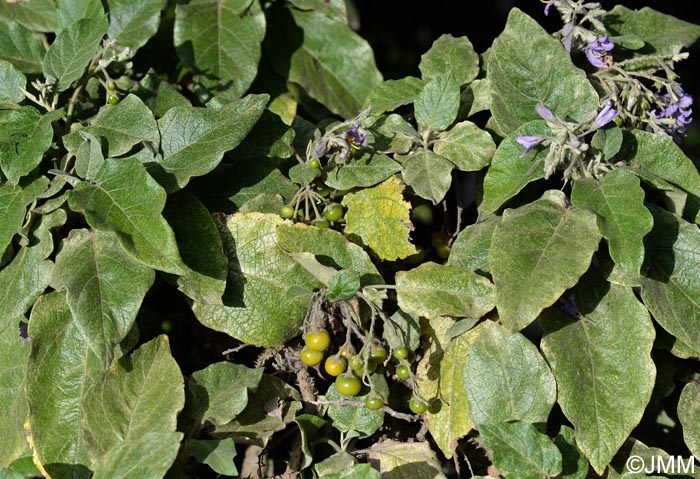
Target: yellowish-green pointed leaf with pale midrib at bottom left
141 393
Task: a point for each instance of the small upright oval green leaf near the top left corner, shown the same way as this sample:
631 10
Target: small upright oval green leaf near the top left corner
72 51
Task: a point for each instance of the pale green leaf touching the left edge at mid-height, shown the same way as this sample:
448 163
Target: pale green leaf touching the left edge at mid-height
27 275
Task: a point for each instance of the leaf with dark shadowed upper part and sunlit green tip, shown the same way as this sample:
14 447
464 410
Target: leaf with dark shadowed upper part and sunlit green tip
201 249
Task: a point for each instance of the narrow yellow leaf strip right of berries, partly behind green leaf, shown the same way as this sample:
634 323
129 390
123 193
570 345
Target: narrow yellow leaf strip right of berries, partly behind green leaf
451 422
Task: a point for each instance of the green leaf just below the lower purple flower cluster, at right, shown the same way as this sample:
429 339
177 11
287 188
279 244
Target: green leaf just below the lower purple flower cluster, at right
618 201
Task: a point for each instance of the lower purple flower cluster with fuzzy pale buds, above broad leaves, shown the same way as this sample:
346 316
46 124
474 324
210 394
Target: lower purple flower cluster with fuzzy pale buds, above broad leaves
567 145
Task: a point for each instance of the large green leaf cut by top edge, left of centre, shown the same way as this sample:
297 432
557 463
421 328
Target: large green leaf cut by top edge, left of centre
220 42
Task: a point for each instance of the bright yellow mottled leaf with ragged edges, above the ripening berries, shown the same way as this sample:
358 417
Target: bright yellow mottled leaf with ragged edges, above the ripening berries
379 216
